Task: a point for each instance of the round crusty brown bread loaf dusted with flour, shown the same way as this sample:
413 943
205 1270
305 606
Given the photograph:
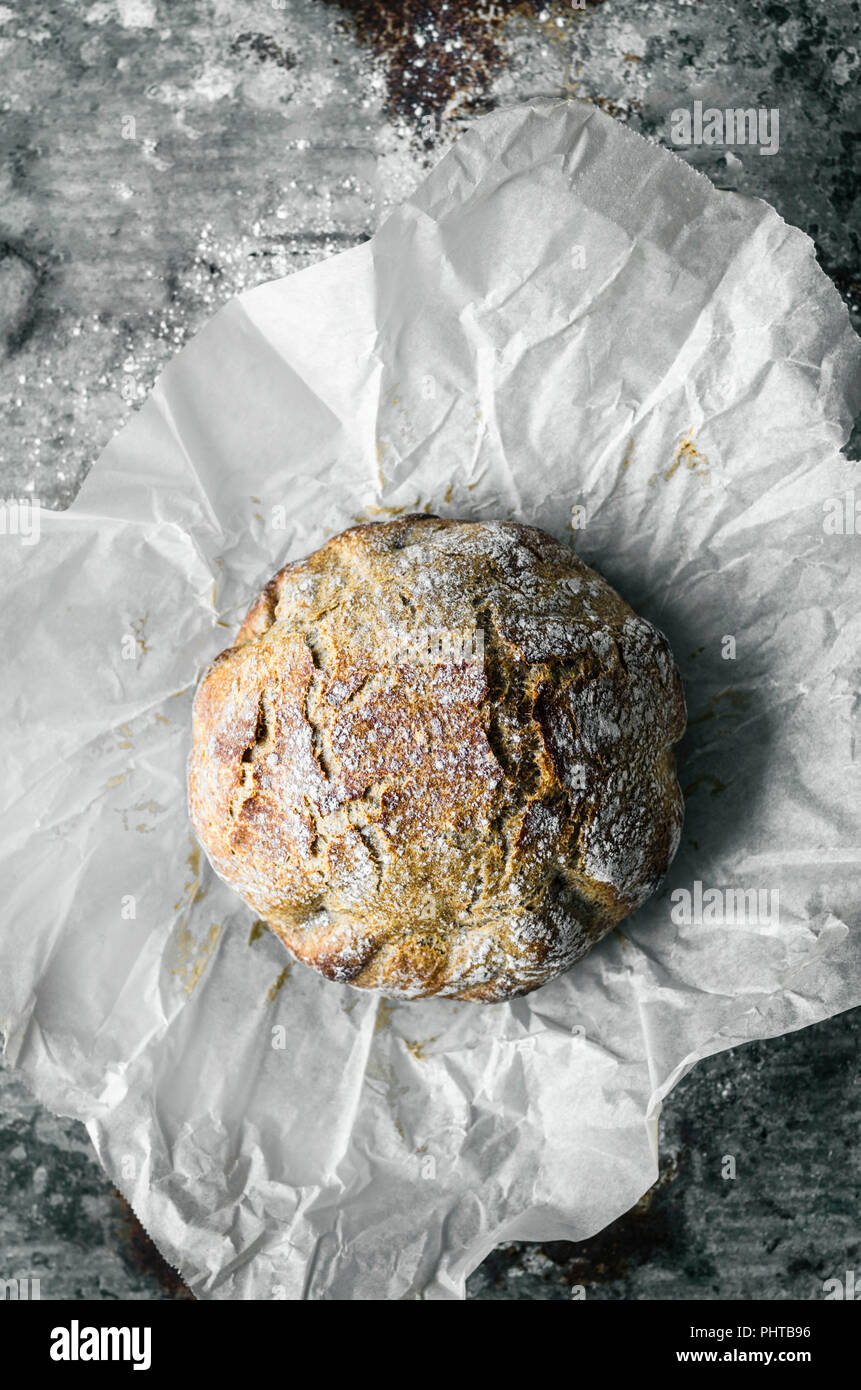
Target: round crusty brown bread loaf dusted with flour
439 758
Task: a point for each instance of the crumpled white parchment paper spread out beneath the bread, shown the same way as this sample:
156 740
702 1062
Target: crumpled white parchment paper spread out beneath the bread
561 316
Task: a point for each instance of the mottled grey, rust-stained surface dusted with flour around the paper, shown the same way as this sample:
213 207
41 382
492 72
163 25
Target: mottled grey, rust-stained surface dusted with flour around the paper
155 161
